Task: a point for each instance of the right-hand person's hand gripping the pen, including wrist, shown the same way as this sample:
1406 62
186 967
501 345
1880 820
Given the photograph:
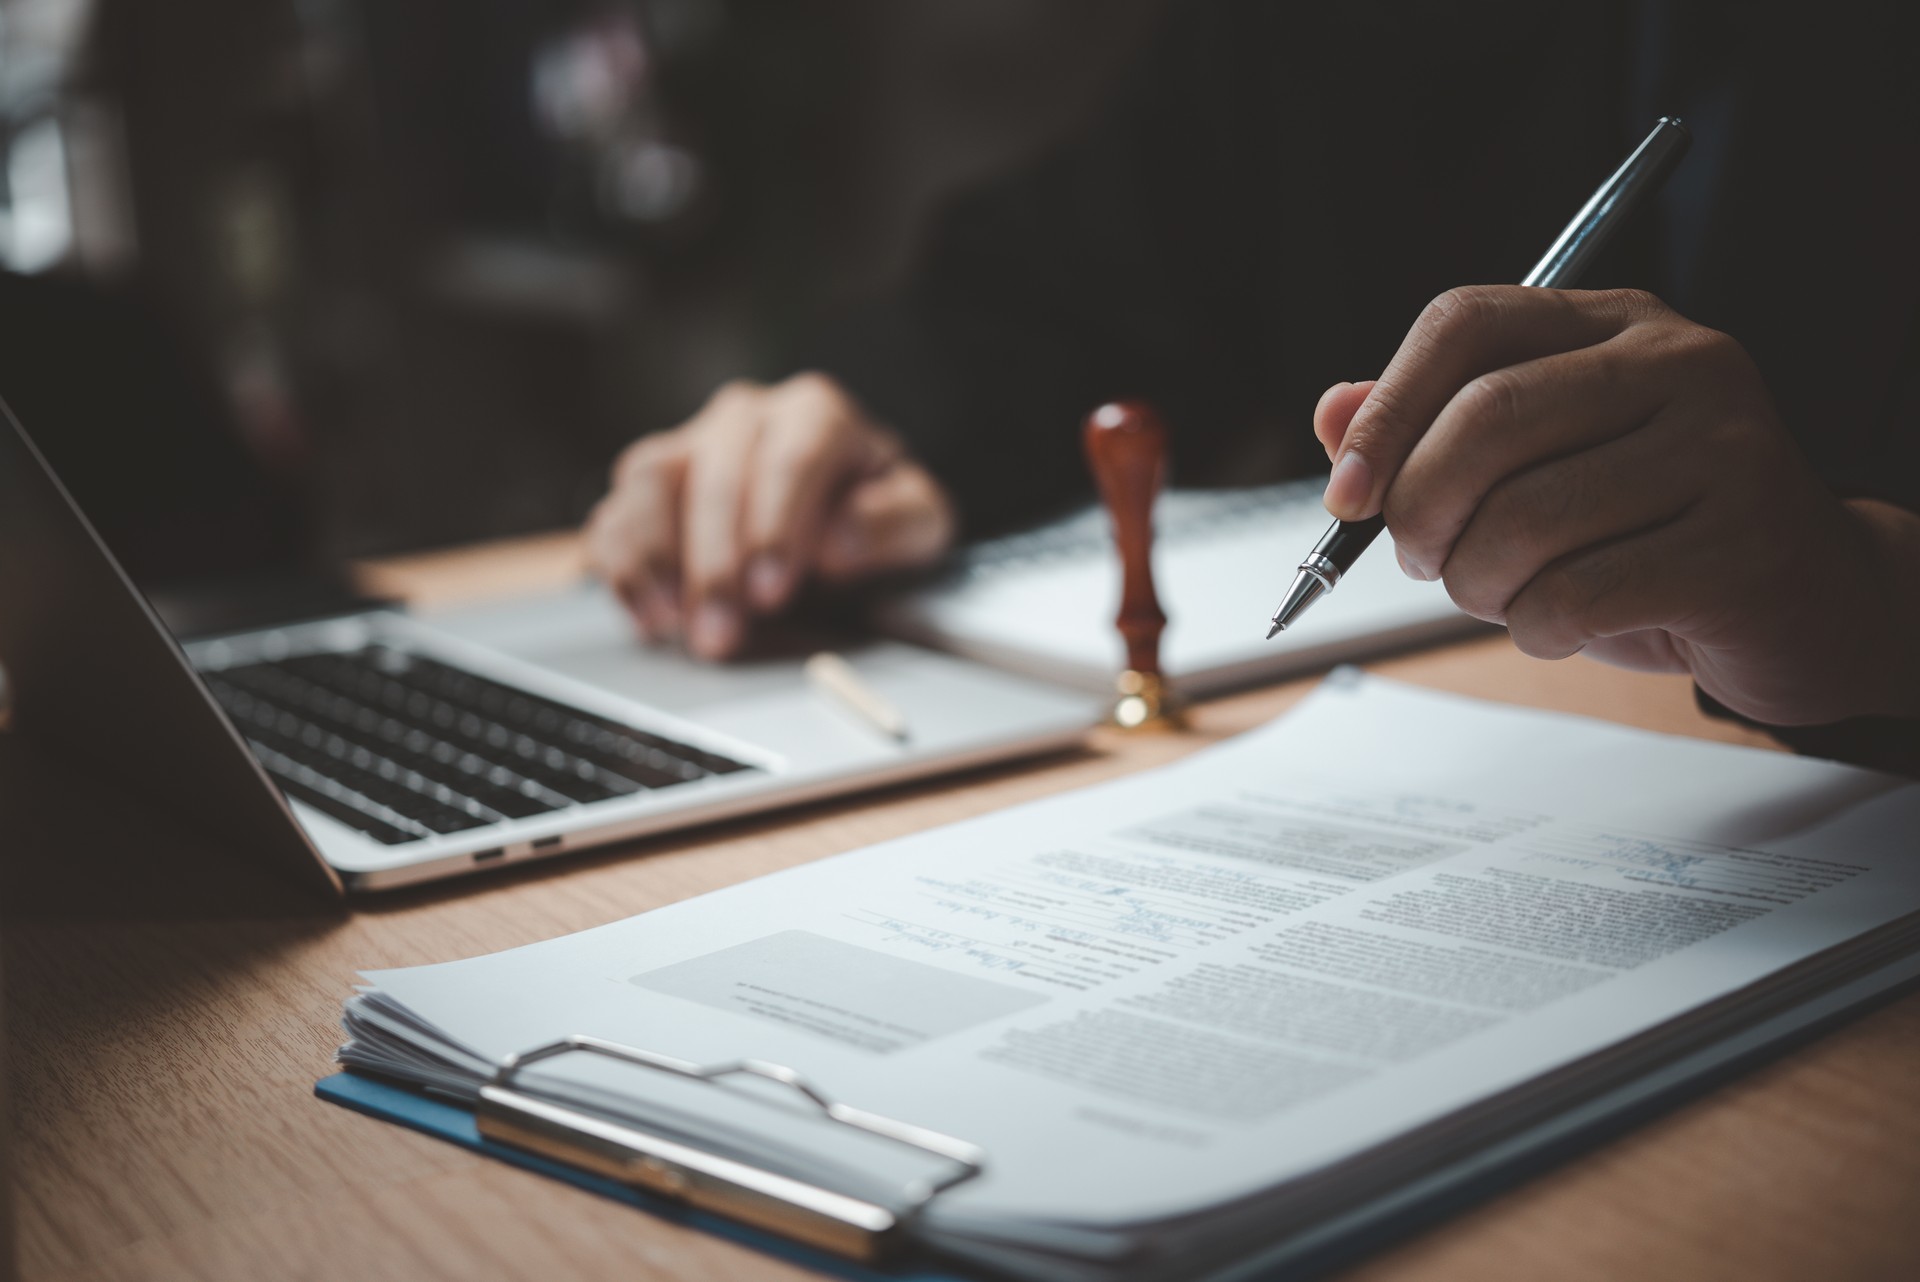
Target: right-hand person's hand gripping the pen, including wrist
1602 475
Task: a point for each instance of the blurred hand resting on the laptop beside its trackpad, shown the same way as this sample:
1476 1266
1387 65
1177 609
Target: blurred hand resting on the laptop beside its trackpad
727 515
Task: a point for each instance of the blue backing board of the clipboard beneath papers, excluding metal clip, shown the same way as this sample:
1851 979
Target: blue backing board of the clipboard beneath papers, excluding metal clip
1337 1241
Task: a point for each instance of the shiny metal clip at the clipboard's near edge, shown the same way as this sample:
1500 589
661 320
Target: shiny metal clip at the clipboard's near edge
763 1199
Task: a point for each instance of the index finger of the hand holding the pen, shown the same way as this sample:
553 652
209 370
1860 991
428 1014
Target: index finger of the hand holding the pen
1462 335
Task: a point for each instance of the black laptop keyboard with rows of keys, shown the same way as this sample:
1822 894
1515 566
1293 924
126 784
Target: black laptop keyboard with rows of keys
406 748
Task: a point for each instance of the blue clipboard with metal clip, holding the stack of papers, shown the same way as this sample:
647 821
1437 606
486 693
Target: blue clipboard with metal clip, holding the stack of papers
1341 1239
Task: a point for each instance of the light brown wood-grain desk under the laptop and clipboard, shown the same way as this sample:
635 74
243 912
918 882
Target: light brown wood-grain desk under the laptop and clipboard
164 1047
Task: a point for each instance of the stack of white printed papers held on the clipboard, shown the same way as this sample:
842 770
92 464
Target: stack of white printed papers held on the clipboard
1345 932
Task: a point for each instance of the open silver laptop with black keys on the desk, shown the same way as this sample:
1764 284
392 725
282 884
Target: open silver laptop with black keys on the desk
375 749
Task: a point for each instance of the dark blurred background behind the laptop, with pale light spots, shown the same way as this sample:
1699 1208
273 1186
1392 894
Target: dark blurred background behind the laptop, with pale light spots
425 266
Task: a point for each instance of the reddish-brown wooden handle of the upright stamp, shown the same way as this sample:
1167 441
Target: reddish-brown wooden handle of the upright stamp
1128 450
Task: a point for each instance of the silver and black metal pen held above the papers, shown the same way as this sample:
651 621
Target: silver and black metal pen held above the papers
1637 179
